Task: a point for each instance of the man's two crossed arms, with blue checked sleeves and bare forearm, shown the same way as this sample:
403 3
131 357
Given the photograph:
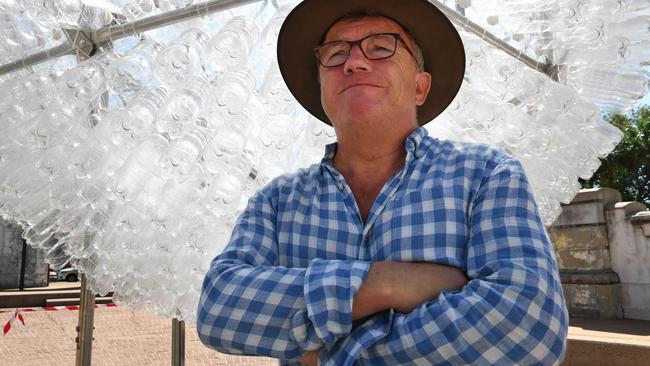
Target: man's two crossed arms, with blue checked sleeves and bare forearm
511 310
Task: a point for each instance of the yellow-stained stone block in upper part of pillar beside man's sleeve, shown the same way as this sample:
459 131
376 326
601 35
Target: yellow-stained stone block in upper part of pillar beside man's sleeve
581 237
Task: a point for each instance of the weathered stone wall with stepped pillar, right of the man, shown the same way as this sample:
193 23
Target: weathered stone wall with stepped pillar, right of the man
603 250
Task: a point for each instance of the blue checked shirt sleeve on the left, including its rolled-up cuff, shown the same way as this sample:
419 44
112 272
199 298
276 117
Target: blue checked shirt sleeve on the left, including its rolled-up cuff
249 305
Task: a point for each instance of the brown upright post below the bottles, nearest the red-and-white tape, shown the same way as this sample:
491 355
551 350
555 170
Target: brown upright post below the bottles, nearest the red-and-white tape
86 325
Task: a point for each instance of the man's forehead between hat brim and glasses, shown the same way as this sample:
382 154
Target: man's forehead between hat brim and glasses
360 26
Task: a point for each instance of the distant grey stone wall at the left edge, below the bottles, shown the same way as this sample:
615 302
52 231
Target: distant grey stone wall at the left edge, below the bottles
11 245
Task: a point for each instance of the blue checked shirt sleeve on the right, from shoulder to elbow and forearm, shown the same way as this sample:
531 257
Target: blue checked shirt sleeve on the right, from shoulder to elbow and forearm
511 311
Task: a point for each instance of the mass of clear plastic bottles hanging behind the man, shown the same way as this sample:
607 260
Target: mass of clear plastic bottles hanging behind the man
135 163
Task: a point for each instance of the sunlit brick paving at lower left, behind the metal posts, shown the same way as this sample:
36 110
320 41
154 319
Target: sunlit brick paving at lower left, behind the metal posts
122 337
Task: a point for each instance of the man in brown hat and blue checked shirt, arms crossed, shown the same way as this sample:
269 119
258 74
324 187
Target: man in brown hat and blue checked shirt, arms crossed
397 248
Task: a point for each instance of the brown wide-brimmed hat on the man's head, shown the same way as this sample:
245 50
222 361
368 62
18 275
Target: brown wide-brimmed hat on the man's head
306 25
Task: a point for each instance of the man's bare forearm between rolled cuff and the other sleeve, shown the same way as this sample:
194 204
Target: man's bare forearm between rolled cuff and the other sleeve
403 286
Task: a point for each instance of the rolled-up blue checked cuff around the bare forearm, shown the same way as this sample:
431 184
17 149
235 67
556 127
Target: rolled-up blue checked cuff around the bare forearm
329 288
